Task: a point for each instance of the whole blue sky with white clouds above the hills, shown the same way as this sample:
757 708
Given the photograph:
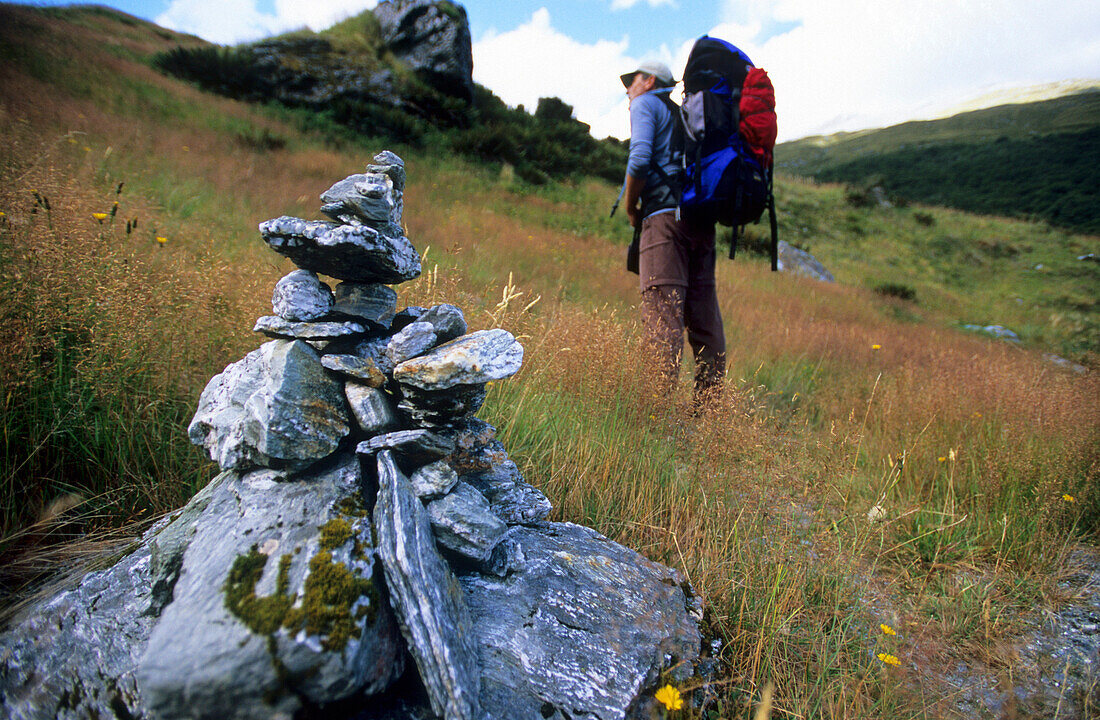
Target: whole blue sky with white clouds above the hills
838 65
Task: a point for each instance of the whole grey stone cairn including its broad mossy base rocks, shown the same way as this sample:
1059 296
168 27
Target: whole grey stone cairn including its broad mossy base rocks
367 529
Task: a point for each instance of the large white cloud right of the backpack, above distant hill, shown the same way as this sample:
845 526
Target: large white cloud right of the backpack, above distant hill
855 64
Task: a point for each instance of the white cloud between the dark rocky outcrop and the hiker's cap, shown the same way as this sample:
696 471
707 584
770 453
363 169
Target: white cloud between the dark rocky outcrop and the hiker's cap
536 61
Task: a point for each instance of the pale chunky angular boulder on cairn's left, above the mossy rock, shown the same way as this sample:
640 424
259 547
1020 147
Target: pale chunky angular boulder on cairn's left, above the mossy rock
278 407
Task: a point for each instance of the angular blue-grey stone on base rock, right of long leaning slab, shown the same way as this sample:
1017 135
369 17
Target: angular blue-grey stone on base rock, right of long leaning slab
465 525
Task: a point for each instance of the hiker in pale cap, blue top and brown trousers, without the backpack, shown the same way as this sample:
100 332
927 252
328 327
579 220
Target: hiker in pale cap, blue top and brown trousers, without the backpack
676 259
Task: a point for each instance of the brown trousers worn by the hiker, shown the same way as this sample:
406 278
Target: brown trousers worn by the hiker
677 273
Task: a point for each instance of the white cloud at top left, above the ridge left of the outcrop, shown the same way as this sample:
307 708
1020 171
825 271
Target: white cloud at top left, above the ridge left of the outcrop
236 21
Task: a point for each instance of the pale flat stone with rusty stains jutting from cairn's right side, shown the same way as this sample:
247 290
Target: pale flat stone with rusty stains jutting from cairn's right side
474 359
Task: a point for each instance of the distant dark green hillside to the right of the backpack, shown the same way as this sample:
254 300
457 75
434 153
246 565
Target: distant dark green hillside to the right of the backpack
1033 160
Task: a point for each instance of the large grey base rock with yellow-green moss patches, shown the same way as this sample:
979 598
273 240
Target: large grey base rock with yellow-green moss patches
238 640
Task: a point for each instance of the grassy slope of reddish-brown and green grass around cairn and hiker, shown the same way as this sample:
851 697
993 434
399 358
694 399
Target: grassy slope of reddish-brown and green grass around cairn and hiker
881 495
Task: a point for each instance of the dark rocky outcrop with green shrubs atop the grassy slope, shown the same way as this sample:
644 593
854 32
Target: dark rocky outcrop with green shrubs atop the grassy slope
412 86
